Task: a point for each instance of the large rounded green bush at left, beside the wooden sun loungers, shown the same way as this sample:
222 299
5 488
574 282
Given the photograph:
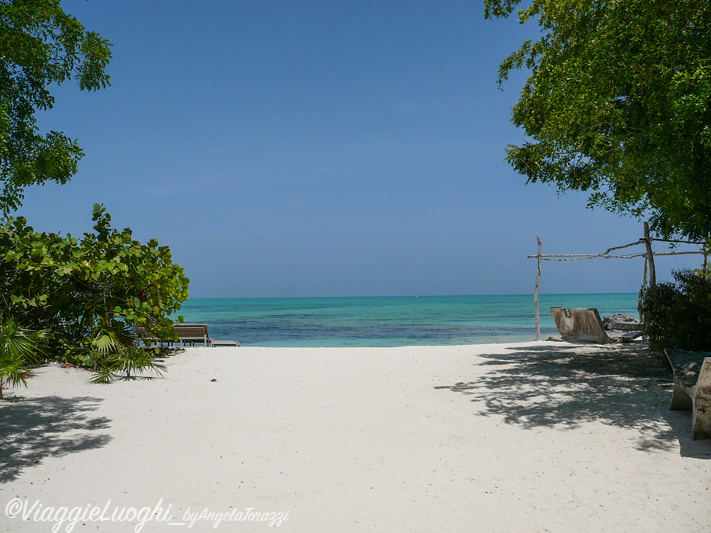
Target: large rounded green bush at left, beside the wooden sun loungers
89 293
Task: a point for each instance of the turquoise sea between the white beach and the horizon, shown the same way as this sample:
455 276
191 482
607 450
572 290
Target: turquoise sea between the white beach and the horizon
390 321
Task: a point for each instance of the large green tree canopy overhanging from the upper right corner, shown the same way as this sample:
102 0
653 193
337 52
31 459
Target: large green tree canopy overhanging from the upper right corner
618 103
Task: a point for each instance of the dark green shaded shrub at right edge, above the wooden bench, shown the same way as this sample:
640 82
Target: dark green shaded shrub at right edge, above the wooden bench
678 314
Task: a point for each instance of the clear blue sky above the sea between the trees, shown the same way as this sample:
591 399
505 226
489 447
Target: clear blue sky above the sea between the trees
330 148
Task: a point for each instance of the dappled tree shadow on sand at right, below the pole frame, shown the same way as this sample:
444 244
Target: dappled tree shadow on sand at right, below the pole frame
567 386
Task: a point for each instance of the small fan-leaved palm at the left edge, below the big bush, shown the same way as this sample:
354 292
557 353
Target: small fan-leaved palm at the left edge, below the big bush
20 349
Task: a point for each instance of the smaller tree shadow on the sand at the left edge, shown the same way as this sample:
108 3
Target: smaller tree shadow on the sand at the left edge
32 429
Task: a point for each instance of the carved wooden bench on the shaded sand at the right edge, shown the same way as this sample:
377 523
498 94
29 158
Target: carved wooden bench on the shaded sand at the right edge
692 388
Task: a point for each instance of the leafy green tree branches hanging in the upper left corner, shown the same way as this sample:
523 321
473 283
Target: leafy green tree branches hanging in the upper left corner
40 45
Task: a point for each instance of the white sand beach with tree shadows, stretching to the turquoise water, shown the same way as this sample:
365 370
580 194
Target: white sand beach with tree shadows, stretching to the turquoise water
508 438
